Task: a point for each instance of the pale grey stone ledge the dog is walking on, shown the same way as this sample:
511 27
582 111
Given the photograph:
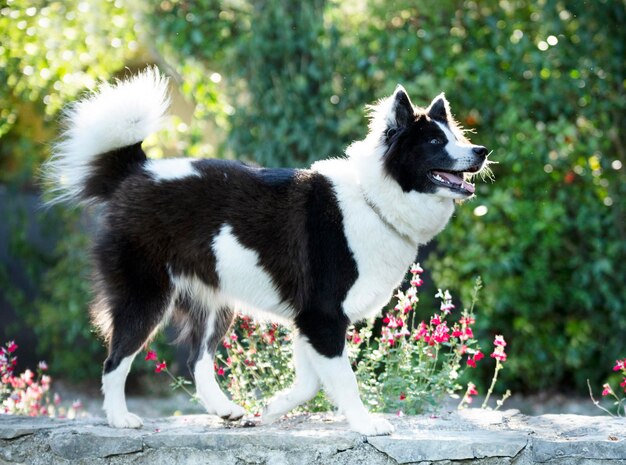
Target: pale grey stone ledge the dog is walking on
469 436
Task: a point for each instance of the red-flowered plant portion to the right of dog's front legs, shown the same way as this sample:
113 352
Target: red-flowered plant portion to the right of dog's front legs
412 367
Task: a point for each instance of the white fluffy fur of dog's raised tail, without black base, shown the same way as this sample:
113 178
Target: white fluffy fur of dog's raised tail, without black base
115 116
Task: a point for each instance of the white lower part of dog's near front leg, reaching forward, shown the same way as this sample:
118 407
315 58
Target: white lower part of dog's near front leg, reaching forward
340 384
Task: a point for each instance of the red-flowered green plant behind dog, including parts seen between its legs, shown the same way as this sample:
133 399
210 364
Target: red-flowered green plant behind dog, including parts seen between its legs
405 366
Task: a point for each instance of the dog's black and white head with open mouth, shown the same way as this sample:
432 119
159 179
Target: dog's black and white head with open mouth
424 149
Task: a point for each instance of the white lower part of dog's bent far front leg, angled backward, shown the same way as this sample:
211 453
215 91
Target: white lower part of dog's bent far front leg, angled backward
305 387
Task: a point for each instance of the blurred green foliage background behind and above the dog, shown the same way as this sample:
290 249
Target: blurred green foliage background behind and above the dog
284 83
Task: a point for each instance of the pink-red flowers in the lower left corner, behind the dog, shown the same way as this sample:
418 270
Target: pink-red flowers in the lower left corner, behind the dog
29 393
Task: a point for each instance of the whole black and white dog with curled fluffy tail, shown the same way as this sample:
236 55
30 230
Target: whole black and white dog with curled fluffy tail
198 240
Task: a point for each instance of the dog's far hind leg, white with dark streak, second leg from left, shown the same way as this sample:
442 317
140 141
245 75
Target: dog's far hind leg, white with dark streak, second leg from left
205 340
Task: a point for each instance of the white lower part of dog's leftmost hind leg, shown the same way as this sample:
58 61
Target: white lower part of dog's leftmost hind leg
114 405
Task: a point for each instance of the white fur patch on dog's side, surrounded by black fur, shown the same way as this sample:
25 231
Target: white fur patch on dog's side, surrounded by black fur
243 281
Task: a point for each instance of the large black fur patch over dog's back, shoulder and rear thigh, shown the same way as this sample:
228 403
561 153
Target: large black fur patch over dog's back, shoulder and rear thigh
290 218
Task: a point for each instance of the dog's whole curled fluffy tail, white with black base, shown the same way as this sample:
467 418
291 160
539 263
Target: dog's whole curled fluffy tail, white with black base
101 141
